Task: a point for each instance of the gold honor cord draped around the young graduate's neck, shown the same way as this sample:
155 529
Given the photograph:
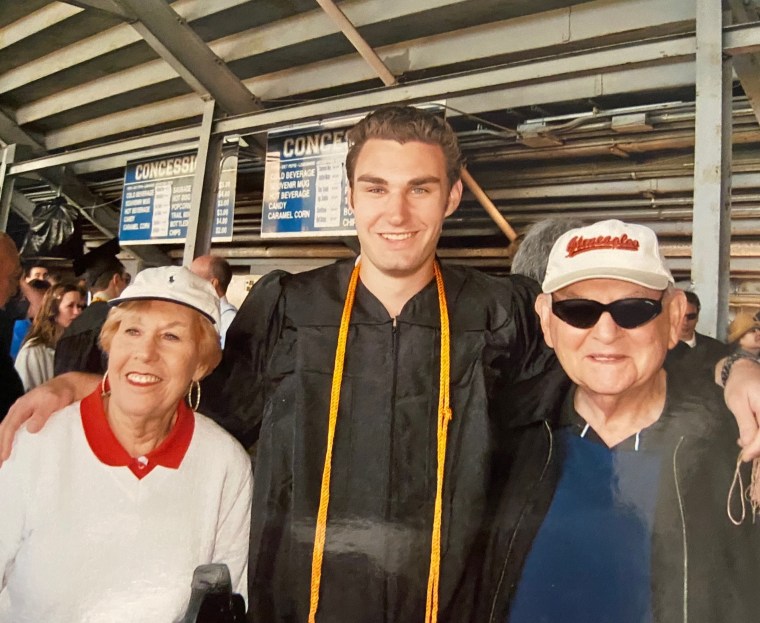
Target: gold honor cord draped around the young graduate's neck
444 416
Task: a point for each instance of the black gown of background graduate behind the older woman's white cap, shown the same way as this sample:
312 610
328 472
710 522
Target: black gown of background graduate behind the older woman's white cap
78 350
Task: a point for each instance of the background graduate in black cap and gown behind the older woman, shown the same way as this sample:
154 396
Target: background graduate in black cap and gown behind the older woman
78 349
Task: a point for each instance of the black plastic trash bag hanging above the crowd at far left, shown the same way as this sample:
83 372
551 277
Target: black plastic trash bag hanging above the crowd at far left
56 231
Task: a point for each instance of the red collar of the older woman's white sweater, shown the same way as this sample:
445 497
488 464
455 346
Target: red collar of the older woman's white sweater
108 450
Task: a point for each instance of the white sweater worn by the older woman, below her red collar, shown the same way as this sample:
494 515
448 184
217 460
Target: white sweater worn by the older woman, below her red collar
84 542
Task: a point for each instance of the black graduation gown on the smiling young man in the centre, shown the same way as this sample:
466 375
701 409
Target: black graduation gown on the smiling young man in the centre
274 383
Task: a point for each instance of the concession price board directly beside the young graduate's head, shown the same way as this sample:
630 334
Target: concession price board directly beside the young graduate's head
305 185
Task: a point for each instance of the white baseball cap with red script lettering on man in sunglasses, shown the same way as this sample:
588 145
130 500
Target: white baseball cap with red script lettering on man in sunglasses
607 250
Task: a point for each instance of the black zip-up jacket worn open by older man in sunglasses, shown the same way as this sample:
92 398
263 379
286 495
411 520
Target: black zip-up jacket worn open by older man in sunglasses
704 568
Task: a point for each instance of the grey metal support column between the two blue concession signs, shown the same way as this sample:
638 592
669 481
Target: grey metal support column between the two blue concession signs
205 187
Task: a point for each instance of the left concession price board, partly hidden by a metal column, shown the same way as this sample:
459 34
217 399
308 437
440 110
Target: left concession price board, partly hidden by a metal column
155 203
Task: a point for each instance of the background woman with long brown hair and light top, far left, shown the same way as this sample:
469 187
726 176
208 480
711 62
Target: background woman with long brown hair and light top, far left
34 362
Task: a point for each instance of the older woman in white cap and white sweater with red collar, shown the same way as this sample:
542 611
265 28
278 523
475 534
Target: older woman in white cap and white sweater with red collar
108 510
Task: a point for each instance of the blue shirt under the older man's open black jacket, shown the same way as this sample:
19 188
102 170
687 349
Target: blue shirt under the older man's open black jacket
590 561
